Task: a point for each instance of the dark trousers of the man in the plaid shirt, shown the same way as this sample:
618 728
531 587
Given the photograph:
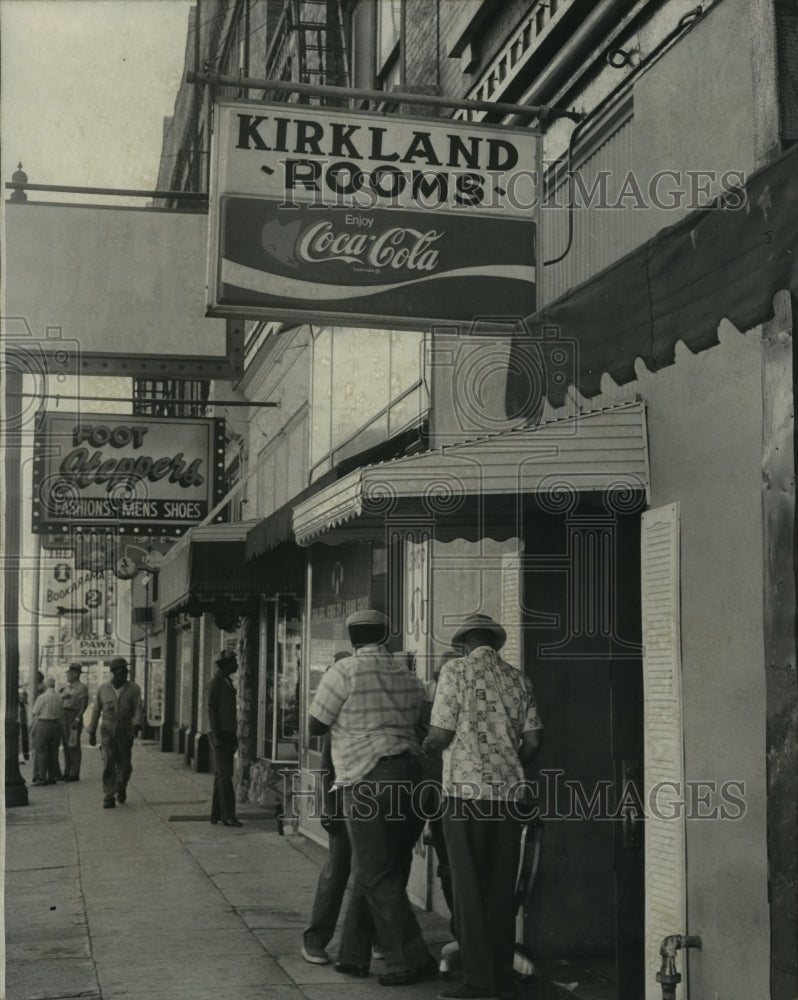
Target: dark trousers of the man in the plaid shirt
382 831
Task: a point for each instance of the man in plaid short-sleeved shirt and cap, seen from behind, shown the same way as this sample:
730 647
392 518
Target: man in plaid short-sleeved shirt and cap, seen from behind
371 704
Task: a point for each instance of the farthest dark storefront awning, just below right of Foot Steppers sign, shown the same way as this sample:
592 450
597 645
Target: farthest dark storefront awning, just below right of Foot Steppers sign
207 571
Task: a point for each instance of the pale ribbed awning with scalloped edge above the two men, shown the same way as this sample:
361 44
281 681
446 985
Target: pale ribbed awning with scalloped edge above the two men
593 452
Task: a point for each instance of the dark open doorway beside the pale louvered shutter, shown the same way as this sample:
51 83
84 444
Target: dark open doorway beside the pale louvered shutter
584 920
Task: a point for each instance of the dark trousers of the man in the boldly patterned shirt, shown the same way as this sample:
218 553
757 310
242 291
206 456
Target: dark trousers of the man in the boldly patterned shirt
483 843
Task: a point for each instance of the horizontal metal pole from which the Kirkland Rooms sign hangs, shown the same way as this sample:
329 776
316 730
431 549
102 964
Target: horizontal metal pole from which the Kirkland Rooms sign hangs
381 96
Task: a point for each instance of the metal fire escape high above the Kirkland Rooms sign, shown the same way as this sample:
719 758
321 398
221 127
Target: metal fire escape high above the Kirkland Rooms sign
308 46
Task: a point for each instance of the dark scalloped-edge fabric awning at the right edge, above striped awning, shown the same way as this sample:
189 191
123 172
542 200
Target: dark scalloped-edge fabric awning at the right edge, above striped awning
727 261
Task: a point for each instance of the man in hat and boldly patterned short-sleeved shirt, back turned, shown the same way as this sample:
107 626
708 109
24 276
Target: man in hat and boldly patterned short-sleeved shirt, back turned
485 720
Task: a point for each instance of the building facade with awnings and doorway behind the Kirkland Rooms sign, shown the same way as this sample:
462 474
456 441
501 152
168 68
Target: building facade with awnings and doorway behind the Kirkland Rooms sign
612 476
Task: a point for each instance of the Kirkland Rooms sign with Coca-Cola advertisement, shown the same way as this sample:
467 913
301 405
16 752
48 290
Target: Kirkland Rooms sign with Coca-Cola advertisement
327 214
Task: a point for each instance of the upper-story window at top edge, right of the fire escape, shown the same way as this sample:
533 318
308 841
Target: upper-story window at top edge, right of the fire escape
375 34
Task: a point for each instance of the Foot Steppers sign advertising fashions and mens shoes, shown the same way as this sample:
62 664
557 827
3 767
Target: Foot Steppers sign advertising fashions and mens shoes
134 474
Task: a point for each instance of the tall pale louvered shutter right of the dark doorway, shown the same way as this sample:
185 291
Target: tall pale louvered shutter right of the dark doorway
665 888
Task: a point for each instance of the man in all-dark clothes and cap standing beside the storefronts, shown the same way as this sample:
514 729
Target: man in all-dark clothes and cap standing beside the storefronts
224 738
